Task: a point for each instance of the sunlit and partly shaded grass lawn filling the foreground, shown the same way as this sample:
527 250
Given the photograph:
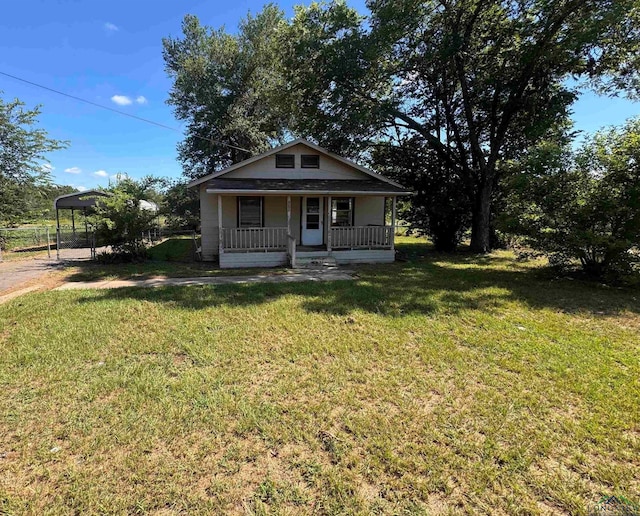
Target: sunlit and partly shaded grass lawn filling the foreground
437 385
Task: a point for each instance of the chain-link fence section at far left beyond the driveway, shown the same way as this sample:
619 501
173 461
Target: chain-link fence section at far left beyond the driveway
29 242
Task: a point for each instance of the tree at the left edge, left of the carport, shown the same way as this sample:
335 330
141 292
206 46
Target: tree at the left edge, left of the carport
23 148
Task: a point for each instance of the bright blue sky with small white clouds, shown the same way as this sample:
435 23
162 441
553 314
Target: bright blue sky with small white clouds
111 53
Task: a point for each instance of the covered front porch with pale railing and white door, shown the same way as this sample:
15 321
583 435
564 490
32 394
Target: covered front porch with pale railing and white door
315 227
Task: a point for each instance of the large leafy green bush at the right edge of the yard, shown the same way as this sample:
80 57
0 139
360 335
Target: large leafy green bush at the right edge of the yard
584 207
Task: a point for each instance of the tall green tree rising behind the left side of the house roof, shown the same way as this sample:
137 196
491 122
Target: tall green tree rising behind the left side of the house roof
222 87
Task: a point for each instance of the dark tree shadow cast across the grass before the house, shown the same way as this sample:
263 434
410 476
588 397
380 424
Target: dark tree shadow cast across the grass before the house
427 284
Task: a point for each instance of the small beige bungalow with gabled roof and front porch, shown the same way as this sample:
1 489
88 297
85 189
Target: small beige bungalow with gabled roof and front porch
294 204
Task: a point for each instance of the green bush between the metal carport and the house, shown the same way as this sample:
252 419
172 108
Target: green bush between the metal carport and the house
121 222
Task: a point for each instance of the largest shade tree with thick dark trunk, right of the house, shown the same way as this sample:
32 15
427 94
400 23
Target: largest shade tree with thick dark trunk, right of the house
477 81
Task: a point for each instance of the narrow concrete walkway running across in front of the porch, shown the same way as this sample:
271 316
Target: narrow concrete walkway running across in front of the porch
292 277
